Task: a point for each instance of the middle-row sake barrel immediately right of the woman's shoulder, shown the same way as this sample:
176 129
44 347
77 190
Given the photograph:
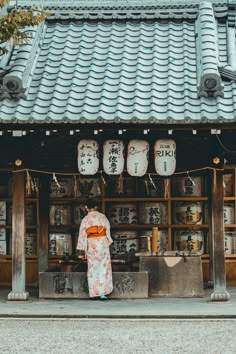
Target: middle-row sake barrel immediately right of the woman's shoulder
123 214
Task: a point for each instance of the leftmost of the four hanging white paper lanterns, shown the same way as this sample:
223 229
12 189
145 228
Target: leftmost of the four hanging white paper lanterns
88 157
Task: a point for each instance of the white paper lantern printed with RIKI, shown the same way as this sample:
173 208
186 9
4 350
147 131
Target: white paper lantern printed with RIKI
165 157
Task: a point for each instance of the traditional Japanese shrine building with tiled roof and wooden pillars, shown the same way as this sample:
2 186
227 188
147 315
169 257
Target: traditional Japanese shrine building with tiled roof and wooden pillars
100 70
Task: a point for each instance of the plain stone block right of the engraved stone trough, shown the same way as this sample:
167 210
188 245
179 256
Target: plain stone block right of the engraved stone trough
174 276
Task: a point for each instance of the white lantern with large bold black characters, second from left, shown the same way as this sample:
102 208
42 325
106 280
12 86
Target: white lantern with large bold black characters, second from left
113 157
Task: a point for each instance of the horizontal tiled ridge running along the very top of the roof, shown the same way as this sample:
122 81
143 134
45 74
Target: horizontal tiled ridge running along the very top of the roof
125 9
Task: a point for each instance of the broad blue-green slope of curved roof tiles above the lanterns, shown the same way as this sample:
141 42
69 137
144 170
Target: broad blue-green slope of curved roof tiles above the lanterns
121 71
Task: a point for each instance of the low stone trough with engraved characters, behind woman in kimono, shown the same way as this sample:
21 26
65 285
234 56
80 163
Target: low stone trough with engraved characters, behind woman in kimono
61 285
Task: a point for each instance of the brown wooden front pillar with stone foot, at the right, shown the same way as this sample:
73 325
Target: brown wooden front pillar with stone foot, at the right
219 276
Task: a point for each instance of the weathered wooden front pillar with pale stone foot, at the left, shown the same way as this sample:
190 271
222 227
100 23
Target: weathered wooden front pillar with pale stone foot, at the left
18 238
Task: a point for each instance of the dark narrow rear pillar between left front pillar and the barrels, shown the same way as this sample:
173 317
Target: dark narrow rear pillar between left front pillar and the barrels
44 191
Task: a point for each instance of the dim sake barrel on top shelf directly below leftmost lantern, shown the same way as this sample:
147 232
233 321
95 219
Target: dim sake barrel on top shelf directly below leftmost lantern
88 187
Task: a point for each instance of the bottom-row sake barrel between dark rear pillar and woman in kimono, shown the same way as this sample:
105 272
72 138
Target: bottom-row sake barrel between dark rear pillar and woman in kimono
60 244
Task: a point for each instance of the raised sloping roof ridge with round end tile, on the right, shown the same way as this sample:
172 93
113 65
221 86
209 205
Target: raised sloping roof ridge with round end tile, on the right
209 79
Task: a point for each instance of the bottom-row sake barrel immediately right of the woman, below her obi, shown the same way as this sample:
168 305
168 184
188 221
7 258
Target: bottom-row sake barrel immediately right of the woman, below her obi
124 242
